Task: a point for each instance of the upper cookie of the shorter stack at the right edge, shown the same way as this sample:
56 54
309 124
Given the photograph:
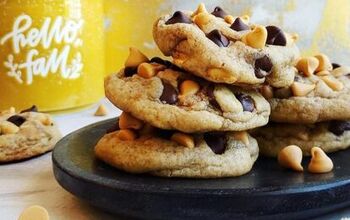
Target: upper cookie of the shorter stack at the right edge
319 95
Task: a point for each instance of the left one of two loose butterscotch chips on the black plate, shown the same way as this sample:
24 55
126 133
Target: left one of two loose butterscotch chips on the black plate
291 157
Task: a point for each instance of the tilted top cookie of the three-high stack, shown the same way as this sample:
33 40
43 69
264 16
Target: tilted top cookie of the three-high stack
226 49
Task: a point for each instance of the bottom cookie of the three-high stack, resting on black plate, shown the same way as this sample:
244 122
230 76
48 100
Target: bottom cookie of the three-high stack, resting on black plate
145 149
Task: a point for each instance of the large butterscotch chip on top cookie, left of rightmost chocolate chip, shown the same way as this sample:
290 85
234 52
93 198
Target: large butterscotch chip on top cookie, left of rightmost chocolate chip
256 38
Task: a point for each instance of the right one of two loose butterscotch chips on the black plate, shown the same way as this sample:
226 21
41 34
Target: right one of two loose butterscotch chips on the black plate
320 162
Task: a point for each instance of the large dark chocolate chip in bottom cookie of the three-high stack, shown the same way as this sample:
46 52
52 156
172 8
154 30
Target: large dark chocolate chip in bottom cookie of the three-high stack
216 141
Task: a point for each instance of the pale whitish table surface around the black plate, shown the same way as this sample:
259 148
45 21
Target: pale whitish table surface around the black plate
32 182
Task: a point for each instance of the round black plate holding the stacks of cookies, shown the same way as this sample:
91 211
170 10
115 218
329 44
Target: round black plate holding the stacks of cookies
267 191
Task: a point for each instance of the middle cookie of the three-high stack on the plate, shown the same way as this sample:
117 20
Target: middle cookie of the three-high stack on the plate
165 96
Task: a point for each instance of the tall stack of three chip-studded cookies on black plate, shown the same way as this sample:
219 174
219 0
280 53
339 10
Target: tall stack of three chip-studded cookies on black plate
189 117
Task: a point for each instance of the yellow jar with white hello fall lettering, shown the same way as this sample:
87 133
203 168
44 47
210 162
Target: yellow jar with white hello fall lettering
51 53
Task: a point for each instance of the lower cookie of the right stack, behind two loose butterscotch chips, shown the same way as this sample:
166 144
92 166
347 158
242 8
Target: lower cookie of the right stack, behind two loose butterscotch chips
329 136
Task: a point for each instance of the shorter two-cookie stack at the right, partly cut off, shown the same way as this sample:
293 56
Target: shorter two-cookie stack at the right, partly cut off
312 112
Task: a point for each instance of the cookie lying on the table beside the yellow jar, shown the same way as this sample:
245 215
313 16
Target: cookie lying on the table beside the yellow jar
26 134
